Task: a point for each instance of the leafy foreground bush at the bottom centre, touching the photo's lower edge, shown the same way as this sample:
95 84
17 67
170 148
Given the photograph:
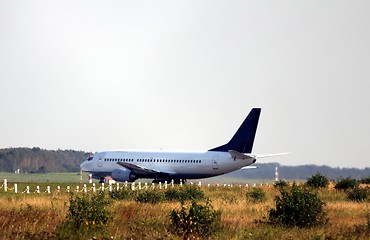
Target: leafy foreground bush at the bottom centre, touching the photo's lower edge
200 221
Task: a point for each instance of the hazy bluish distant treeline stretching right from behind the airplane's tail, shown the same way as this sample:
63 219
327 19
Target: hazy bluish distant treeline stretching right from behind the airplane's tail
267 171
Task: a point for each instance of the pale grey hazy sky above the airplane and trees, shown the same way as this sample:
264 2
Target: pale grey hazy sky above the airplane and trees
100 75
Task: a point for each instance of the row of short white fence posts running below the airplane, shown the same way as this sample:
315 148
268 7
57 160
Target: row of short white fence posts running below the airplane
93 187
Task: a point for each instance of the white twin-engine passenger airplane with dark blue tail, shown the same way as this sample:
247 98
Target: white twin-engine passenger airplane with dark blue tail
127 165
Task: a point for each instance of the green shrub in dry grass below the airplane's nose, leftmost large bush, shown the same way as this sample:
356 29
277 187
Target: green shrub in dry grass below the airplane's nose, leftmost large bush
89 211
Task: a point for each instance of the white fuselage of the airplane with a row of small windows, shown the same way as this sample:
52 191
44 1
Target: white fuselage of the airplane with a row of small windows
186 165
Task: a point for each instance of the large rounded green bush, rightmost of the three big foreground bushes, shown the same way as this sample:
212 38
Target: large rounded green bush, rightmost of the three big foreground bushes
299 207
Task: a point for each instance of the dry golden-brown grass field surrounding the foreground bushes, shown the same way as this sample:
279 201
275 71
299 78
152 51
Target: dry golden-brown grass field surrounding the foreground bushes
40 216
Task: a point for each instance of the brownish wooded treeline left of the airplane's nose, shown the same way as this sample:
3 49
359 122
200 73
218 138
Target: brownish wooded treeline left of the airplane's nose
36 160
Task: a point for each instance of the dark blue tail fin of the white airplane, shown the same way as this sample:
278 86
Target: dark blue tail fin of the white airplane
244 137
